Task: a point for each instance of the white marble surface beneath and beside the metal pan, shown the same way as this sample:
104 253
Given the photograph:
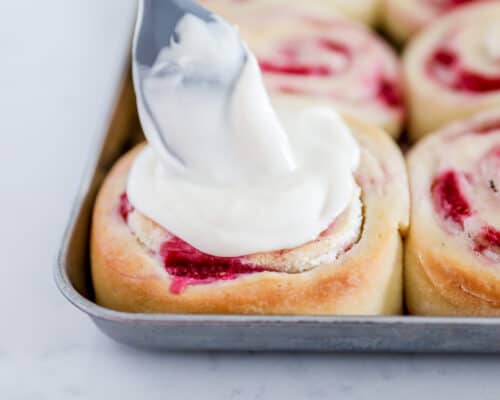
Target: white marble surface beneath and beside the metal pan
57 74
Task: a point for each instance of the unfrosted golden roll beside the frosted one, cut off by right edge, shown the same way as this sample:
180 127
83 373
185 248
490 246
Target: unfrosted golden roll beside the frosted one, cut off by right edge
452 263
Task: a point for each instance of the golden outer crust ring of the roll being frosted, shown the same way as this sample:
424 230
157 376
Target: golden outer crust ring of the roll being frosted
367 279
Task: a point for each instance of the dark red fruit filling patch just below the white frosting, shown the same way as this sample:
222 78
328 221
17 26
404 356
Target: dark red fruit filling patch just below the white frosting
189 266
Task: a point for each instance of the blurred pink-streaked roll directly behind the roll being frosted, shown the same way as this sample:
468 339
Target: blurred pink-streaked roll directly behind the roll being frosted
309 54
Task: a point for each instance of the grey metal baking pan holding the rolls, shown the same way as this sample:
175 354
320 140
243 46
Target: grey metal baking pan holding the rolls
238 332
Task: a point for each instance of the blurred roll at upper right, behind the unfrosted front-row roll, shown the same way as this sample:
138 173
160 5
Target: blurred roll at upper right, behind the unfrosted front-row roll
453 68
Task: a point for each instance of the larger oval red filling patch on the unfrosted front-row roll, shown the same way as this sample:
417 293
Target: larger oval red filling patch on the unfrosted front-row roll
449 201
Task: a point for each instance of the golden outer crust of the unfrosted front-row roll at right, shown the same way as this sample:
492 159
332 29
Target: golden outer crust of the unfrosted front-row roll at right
444 275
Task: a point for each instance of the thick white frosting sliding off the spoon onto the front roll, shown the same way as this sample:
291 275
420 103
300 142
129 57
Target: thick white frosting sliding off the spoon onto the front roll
250 179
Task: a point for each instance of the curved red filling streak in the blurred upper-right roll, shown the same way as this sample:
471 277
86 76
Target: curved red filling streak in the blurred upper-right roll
444 65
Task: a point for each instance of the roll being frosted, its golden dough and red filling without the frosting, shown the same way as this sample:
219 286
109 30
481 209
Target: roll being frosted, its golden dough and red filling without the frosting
137 266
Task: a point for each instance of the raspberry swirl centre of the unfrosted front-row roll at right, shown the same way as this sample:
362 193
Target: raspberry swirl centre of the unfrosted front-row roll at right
465 191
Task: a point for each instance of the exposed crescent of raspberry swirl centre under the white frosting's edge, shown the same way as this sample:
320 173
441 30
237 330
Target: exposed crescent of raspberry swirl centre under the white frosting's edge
187 266
